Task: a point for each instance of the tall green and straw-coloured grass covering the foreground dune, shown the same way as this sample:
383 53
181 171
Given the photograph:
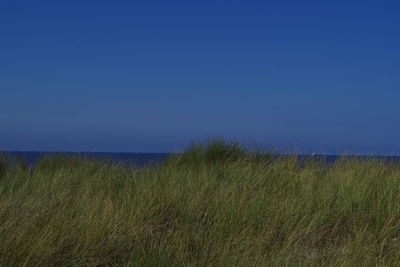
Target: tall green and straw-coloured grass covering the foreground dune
215 205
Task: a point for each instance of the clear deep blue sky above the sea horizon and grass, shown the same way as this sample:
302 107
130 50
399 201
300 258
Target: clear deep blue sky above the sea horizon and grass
118 76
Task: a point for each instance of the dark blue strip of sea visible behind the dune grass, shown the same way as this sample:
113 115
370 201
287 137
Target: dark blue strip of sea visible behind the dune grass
145 159
